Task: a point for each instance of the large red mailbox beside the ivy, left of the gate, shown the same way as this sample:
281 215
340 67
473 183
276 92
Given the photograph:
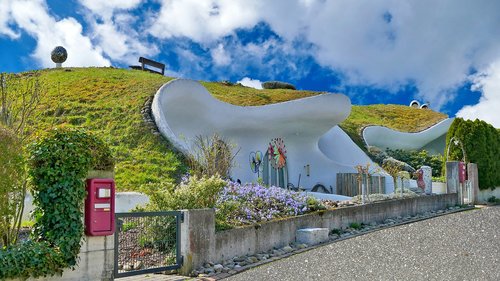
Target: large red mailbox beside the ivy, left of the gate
100 207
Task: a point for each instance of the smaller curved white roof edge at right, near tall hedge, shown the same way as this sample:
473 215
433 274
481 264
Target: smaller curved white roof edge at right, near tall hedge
384 137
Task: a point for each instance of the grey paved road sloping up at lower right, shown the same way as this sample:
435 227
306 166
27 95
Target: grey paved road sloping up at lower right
460 246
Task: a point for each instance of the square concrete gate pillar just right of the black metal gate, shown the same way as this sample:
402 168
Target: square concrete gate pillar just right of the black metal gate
197 238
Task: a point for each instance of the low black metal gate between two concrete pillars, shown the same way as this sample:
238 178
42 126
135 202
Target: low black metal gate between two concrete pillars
147 242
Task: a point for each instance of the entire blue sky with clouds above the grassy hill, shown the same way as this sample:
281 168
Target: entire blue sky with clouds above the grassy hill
442 52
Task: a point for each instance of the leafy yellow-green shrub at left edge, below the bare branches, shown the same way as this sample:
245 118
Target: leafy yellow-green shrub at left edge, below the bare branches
12 186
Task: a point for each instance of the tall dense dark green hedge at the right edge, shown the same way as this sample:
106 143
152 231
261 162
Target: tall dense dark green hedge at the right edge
481 142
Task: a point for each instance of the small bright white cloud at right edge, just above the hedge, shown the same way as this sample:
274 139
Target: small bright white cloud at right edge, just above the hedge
489 104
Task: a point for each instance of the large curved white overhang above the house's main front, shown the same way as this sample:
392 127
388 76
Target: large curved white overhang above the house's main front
183 109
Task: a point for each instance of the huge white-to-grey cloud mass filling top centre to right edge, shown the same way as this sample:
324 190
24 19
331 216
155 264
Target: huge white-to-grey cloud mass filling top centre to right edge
386 44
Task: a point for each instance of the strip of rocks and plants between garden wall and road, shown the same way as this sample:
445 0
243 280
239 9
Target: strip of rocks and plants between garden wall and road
219 271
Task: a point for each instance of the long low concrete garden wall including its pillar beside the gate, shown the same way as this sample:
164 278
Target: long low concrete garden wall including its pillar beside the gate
200 243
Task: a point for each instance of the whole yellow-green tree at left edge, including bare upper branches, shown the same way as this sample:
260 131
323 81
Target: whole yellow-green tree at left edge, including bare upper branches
19 97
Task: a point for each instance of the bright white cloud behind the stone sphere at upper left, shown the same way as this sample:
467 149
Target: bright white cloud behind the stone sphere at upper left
33 17
